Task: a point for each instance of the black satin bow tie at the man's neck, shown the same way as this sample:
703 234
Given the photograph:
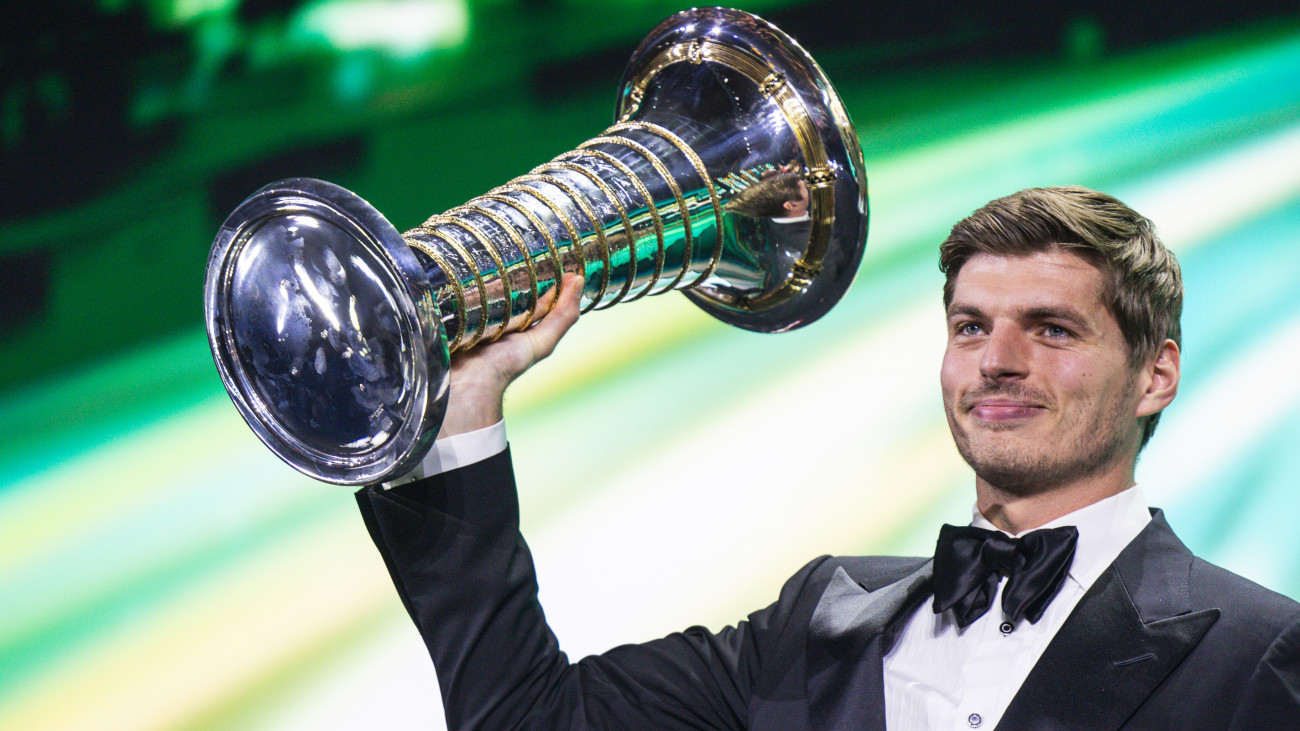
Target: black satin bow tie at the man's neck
969 564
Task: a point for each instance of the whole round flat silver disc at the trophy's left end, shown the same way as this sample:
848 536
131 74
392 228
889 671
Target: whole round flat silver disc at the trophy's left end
324 330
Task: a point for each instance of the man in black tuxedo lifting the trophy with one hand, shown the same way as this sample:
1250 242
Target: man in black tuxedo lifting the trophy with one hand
1067 605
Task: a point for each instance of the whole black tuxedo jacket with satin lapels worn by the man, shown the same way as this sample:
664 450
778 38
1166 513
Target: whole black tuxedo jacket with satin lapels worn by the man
1163 641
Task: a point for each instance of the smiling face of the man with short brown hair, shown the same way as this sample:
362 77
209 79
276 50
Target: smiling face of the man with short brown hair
1037 380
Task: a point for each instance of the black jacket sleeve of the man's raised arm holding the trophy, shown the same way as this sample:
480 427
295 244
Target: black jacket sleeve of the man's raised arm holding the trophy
453 547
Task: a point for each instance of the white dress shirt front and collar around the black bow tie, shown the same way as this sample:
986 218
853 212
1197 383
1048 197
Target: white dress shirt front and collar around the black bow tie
939 677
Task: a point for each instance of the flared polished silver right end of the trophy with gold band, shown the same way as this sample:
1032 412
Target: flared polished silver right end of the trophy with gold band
746 97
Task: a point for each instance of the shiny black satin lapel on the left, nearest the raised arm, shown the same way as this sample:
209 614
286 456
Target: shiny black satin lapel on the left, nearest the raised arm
846 650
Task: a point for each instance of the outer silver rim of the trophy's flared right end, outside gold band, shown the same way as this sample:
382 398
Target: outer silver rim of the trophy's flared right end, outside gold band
850 213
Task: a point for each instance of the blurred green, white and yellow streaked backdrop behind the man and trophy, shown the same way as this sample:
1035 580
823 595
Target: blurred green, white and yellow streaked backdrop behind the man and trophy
161 570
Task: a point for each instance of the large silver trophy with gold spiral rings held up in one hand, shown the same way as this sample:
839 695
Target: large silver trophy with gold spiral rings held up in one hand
333 332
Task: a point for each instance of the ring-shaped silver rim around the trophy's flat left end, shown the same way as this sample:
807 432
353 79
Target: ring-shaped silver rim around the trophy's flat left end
426 362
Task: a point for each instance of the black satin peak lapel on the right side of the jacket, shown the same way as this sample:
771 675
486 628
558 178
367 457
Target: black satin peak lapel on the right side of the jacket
1132 629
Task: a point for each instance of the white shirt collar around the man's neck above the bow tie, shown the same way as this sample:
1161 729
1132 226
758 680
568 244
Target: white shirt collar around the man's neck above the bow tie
1106 527
